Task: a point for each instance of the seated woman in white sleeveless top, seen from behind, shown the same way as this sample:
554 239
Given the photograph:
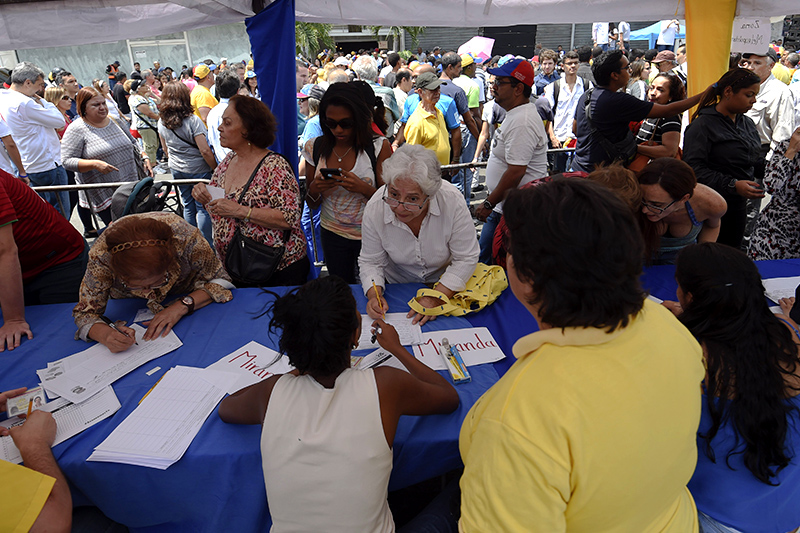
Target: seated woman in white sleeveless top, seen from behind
348 417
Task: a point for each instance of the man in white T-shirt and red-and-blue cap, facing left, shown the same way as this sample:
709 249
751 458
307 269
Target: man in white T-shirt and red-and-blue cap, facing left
519 148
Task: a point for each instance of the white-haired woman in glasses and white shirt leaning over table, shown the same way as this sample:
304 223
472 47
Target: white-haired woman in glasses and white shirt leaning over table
416 229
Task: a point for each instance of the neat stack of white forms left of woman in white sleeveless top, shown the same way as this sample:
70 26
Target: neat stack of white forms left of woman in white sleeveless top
158 432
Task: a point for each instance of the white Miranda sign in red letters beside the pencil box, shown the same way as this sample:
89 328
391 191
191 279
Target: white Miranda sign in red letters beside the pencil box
476 346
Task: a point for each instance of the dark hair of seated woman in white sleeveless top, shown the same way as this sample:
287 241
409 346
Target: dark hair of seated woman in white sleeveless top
317 322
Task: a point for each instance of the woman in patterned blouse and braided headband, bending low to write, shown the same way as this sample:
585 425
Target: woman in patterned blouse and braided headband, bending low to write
153 256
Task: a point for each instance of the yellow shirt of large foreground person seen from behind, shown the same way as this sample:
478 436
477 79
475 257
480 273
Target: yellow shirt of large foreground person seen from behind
588 432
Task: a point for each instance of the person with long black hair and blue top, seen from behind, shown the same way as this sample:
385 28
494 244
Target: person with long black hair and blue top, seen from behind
747 476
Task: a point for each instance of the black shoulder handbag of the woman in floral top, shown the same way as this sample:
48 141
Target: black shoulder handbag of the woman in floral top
249 262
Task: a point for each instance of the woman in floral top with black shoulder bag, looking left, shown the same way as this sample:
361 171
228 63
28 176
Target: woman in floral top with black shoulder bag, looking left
271 204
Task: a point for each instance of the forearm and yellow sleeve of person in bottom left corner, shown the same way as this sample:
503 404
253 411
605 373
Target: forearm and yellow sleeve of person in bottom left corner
36 496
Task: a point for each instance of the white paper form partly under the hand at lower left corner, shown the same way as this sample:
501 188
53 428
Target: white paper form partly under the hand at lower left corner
71 419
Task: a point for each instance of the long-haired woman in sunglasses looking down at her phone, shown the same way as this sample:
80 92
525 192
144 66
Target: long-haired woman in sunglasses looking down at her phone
343 173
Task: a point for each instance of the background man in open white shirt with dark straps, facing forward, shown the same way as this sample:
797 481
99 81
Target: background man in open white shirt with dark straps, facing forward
563 96
